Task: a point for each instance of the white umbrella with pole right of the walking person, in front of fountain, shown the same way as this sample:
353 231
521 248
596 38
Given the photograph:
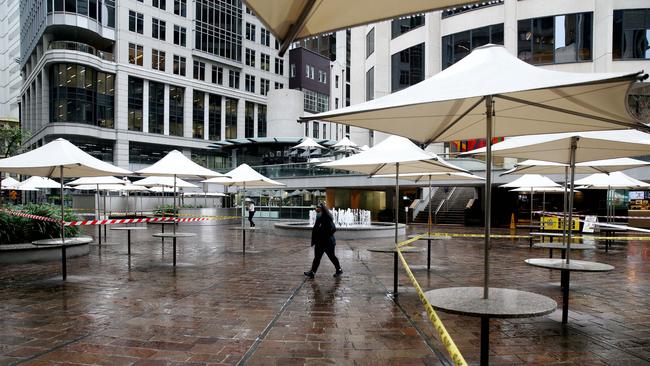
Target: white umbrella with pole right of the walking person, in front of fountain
396 155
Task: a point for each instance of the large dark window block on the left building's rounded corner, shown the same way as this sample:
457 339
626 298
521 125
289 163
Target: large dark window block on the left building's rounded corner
81 94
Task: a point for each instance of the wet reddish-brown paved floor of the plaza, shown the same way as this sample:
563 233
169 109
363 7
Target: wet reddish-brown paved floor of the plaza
218 307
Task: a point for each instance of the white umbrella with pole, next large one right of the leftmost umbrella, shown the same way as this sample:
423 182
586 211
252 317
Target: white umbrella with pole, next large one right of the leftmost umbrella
177 165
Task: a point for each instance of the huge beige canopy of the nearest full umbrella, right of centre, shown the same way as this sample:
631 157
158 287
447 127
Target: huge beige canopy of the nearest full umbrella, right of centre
451 105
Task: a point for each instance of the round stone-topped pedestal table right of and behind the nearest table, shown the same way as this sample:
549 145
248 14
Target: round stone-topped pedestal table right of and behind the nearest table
574 265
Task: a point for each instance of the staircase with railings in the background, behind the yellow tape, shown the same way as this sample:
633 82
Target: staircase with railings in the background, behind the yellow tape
453 208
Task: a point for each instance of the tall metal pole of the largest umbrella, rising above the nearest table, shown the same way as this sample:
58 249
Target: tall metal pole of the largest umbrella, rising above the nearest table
488 195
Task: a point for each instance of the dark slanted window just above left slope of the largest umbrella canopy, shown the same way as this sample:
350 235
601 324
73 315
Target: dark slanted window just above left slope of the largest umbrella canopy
407 67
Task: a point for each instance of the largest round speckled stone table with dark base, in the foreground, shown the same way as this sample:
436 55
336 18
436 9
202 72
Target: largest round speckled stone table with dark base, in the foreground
501 303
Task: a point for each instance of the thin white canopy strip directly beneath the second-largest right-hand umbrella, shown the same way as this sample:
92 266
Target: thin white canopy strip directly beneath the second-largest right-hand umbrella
596 166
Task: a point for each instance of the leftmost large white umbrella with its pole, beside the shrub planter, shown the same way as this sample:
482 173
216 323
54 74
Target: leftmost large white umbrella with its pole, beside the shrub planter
69 160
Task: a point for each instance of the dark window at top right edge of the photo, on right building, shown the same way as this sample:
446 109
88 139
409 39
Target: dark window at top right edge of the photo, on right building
631 35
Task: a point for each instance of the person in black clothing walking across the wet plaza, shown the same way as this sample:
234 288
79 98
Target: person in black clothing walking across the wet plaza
323 241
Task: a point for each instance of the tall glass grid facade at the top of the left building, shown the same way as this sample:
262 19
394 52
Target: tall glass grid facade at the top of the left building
218 28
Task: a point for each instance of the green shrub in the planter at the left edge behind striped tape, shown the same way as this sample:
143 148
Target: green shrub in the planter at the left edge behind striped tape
16 229
